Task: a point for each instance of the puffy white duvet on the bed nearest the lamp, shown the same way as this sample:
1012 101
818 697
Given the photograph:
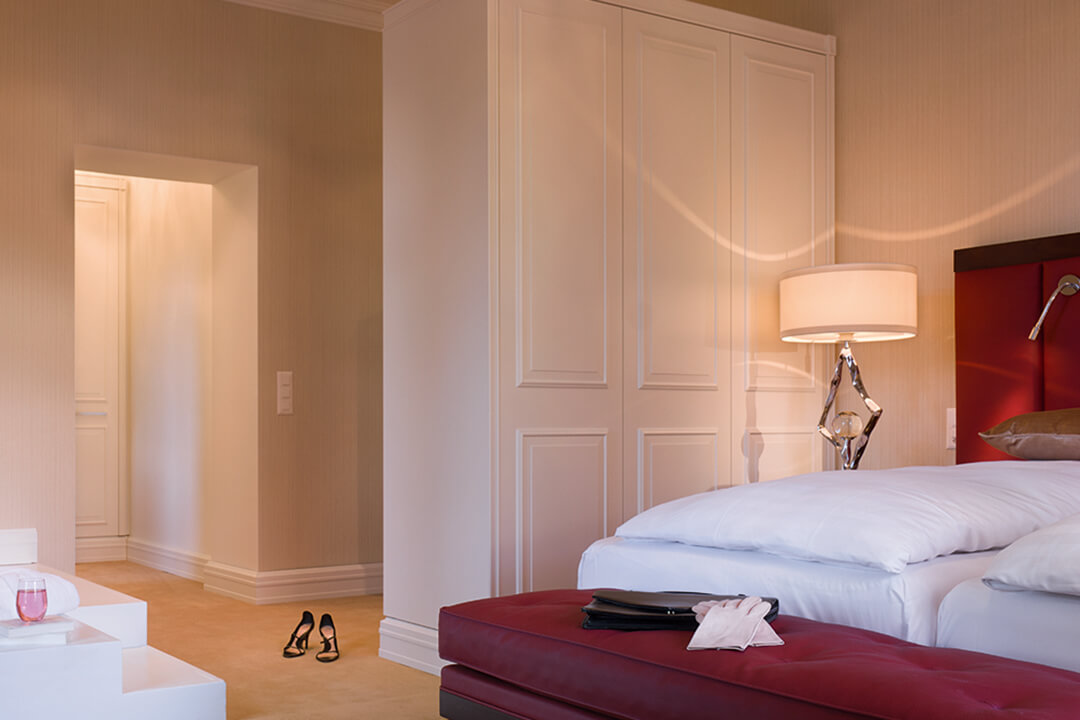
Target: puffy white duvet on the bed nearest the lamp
883 520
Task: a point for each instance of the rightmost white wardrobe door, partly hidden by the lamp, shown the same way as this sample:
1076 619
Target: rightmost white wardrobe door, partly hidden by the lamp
781 222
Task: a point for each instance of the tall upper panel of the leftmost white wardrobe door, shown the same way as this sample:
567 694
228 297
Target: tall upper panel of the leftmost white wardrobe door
561 84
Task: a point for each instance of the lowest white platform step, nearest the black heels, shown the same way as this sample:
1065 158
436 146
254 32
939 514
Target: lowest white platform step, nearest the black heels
161 687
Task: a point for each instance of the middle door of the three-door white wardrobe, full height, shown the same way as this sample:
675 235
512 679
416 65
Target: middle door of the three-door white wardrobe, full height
677 260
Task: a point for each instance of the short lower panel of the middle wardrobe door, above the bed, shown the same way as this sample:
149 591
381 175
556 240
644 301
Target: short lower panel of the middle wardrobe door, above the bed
677 463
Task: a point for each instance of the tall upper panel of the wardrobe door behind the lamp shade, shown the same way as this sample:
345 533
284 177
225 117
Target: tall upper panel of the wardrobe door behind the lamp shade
779 130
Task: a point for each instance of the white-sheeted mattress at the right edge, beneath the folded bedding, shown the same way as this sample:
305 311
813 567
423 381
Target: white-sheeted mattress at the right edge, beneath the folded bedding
1038 628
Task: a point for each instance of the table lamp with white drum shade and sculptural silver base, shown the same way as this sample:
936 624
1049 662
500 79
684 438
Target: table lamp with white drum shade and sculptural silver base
853 303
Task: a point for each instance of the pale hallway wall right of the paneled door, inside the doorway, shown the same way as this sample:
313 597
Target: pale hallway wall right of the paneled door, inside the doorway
169 360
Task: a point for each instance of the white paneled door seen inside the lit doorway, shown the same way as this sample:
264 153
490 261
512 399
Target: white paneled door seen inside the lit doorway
99 358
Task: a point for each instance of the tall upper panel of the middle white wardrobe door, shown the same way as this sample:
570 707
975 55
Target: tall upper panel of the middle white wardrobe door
679 223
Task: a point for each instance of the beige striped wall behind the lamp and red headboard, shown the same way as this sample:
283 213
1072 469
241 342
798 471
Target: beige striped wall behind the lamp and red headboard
956 126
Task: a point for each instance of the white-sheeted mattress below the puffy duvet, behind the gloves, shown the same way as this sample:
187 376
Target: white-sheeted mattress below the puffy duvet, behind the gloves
902 605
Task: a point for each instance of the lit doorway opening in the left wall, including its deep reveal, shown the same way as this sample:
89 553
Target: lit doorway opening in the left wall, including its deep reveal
166 361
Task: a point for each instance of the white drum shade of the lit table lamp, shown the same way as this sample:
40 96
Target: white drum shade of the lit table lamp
855 303
